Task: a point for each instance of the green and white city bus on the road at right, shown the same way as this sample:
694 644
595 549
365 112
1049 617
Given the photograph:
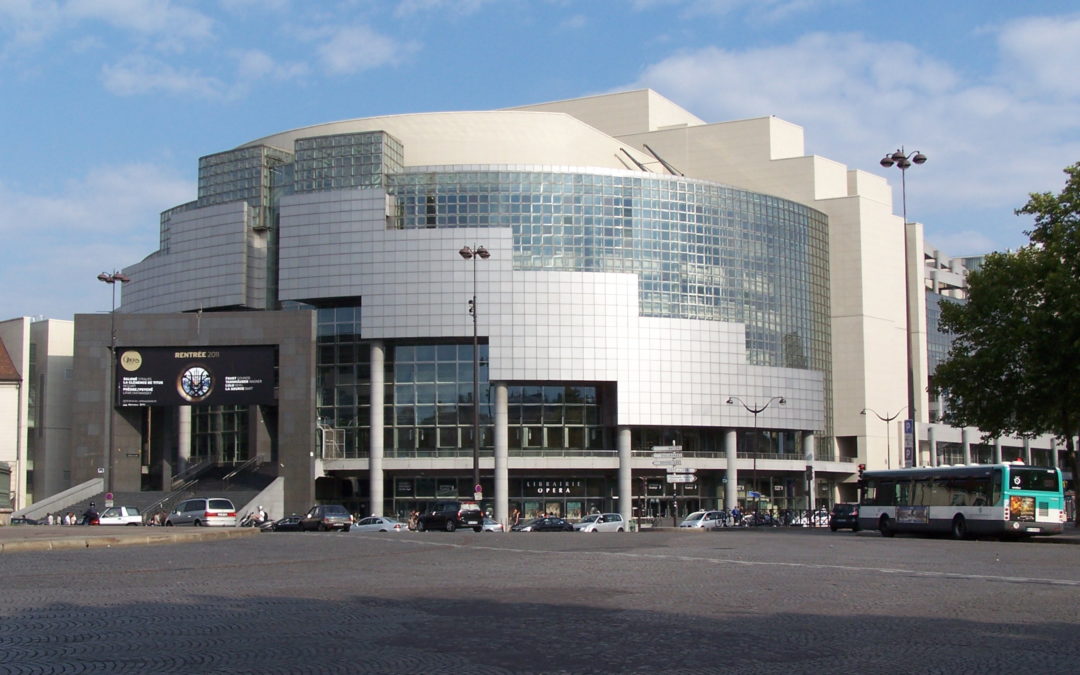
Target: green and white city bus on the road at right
1007 499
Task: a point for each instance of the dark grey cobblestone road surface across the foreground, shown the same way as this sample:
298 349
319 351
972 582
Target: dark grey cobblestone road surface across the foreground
666 602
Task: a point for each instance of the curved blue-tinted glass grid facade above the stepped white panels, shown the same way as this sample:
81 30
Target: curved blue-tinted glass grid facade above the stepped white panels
699 250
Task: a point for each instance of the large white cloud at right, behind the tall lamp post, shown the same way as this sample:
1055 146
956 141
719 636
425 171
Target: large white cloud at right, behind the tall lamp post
990 143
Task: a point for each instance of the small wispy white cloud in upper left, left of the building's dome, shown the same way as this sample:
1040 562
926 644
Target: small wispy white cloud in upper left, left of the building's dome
140 74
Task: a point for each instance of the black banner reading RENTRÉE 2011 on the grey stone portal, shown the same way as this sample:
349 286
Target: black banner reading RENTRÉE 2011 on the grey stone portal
195 376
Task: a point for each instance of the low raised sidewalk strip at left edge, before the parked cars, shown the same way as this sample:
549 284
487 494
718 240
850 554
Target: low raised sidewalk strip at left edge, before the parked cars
19 538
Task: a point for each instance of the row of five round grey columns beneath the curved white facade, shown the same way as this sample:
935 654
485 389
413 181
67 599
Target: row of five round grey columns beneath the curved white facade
503 454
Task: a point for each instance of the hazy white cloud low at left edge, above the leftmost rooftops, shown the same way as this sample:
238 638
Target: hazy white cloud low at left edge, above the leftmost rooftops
57 245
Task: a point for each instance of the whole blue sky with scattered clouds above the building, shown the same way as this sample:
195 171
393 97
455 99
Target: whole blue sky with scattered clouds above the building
106 105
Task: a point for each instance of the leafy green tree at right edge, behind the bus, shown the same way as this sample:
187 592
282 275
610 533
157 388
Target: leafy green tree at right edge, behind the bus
1015 364
